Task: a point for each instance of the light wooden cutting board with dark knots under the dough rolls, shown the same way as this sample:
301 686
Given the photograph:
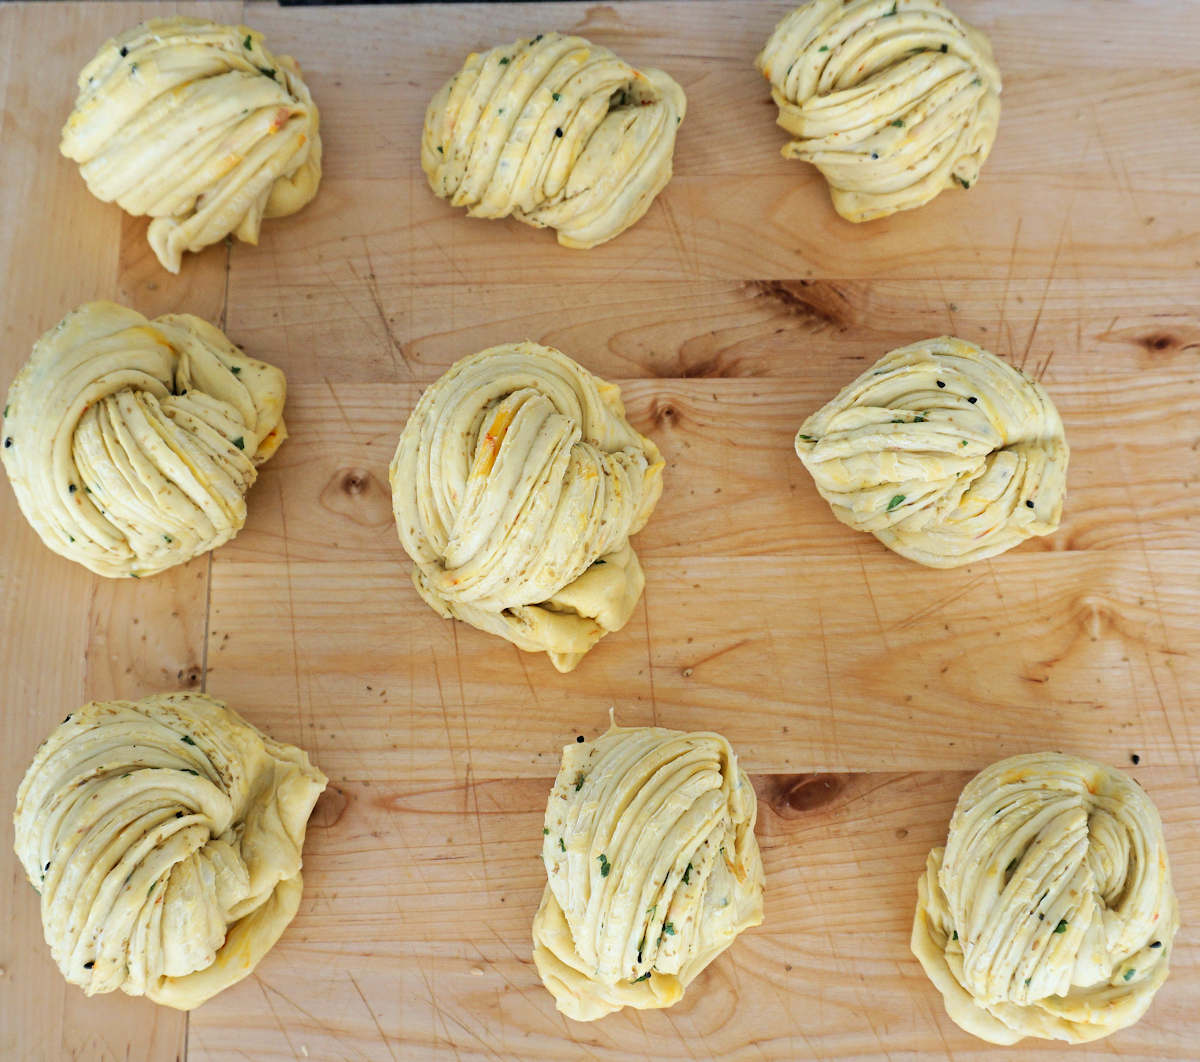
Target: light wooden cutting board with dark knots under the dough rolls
861 691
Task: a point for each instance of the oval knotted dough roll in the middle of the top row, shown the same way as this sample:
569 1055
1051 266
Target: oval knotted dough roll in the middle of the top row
556 131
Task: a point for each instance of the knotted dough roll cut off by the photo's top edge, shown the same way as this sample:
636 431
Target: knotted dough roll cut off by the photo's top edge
892 100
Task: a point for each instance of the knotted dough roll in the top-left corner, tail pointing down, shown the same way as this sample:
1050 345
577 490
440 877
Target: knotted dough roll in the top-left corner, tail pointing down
199 127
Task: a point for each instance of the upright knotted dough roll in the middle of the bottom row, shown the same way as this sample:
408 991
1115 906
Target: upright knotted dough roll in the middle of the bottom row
652 869
